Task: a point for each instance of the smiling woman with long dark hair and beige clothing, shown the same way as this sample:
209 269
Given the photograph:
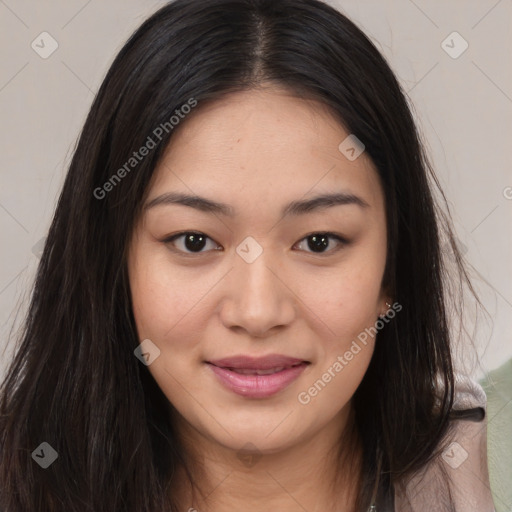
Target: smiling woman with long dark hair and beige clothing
241 302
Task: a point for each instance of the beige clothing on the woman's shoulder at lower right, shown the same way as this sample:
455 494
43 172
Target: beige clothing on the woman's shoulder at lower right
462 468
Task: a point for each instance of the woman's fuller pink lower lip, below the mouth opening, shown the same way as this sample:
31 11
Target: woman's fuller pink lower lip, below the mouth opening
257 386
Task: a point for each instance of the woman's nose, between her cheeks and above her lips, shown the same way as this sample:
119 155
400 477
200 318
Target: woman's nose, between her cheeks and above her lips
257 298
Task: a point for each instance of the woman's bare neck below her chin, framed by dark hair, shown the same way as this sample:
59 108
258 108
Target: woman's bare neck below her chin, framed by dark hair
321 473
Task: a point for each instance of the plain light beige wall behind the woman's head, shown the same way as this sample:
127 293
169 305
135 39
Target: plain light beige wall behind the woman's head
462 103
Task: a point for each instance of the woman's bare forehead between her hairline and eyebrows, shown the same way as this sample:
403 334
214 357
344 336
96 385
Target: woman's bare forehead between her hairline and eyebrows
261 145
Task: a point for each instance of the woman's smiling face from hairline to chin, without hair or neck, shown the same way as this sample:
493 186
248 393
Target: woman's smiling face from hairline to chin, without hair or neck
261 291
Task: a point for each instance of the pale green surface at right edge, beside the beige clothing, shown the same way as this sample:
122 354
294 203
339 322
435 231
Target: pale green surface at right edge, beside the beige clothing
498 388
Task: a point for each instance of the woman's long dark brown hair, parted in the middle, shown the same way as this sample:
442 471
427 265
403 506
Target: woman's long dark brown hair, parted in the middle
74 381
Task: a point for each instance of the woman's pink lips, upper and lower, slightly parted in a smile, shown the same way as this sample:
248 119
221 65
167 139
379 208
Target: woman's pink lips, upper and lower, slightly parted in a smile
257 386
